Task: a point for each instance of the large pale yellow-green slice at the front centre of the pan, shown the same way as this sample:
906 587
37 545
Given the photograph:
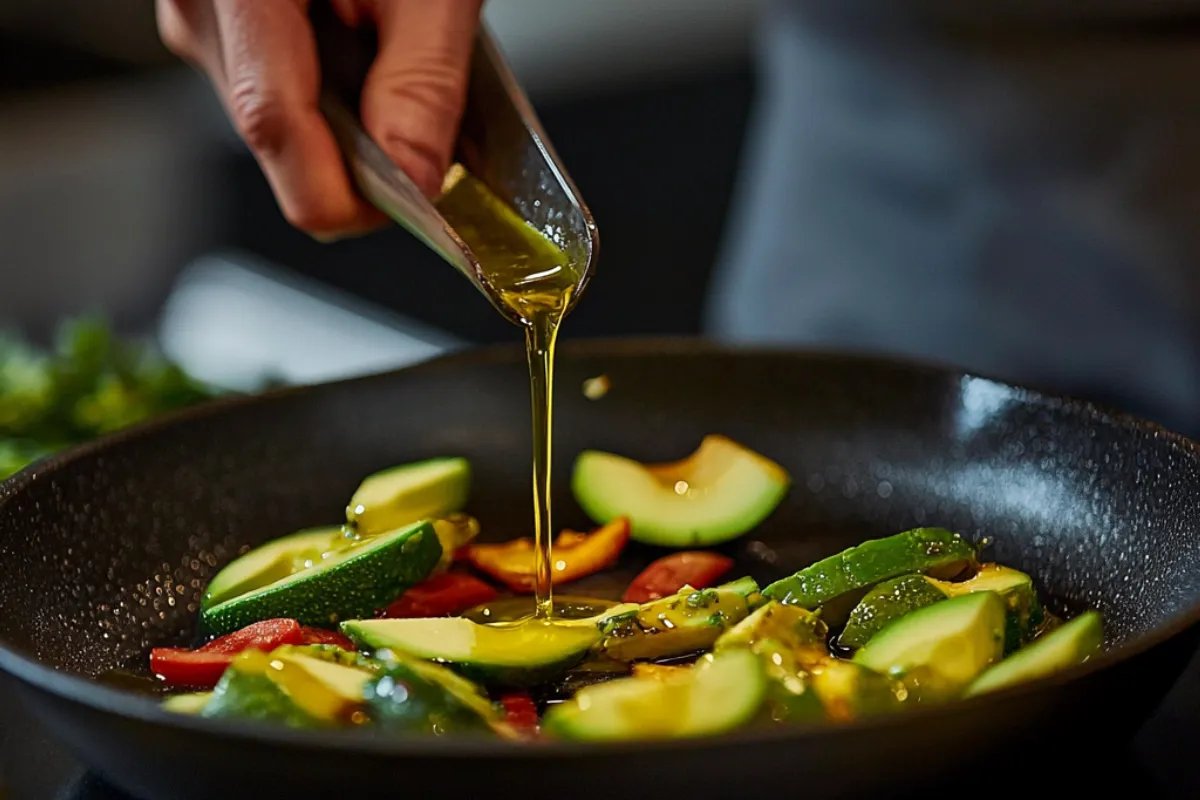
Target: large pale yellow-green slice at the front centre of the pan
718 695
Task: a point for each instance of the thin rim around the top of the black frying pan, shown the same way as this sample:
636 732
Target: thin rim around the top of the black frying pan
134 707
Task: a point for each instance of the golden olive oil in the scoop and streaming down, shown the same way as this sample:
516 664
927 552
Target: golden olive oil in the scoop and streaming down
536 280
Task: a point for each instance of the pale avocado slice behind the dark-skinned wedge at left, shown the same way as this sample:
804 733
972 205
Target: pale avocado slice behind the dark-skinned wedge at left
272 562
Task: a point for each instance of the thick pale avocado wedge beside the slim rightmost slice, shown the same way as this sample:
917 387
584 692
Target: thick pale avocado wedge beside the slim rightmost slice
940 649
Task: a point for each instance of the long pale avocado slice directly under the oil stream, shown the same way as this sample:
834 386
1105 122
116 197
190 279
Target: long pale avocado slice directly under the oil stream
497 654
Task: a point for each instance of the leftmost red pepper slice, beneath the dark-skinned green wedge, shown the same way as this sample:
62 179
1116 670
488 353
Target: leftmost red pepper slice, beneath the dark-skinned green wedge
203 669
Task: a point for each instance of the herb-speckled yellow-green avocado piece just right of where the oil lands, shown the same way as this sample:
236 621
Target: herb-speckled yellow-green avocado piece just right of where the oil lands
680 624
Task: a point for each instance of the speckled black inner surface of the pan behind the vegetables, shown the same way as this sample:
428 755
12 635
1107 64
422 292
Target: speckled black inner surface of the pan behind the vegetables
107 552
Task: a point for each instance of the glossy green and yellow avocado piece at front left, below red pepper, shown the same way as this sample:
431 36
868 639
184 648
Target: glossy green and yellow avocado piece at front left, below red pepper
293 690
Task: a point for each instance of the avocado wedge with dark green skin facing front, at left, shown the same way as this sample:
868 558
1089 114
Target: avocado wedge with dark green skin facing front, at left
353 581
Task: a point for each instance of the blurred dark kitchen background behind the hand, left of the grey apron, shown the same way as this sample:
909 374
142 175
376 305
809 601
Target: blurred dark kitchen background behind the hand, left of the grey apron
124 190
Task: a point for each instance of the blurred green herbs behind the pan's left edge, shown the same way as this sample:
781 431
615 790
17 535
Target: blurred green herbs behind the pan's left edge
91 383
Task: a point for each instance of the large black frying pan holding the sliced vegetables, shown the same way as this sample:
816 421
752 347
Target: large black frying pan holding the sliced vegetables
107 550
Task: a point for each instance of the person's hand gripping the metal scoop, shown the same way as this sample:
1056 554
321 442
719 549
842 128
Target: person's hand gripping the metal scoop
261 57
